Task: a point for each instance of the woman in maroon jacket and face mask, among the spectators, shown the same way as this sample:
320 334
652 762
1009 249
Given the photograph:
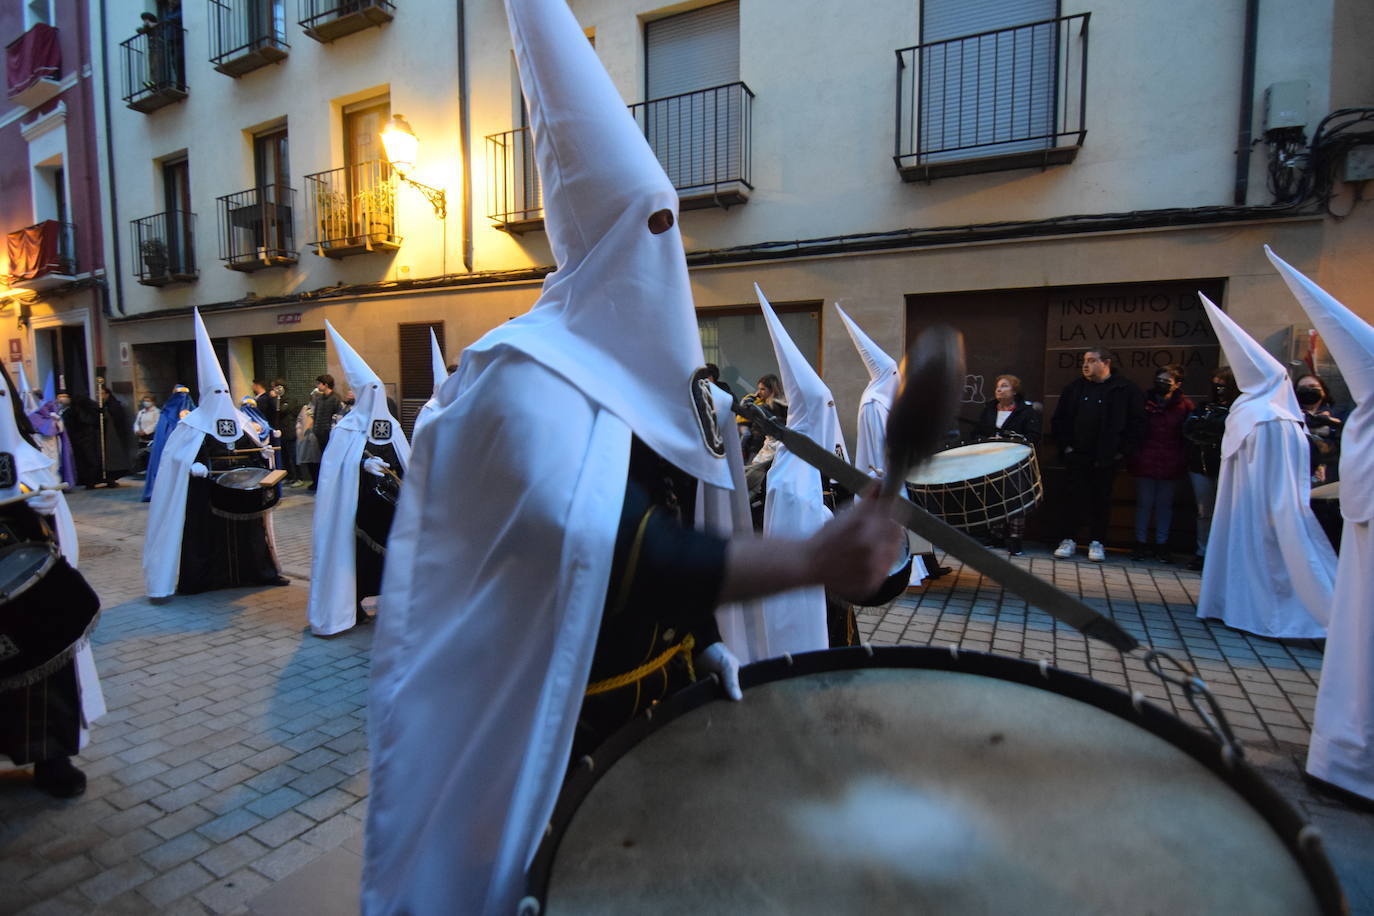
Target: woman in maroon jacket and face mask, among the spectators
1160 462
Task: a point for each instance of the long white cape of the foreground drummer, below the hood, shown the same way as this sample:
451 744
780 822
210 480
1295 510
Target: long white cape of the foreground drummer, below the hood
457 814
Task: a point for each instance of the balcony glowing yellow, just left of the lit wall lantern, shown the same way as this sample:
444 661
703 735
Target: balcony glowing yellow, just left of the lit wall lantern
352 211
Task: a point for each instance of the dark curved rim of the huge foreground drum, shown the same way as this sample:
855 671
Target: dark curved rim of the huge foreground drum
1303 843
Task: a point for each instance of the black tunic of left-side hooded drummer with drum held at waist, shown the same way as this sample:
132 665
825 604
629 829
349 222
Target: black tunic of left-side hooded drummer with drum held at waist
218 551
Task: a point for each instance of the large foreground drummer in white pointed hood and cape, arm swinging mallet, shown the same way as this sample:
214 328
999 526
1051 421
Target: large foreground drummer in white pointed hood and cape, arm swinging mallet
501 557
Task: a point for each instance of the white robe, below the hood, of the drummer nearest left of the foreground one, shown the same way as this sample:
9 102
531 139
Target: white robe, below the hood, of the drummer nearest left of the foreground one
333 605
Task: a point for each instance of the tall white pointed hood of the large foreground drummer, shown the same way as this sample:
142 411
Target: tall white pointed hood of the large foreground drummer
616 318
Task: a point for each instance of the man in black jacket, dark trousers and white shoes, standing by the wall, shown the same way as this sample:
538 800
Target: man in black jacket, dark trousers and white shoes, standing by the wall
1099 422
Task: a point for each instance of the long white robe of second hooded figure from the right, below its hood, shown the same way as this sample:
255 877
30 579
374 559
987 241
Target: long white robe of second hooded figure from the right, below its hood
1270 569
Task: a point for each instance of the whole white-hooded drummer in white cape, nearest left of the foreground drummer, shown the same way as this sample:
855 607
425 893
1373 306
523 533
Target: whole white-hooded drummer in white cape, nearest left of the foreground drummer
352 509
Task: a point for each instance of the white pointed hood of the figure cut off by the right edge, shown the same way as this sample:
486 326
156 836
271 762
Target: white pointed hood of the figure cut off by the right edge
1351 343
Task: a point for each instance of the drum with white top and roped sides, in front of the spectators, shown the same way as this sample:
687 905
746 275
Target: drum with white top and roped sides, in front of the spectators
973 487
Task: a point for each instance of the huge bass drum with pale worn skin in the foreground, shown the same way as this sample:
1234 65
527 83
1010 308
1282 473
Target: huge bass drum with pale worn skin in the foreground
901 781
